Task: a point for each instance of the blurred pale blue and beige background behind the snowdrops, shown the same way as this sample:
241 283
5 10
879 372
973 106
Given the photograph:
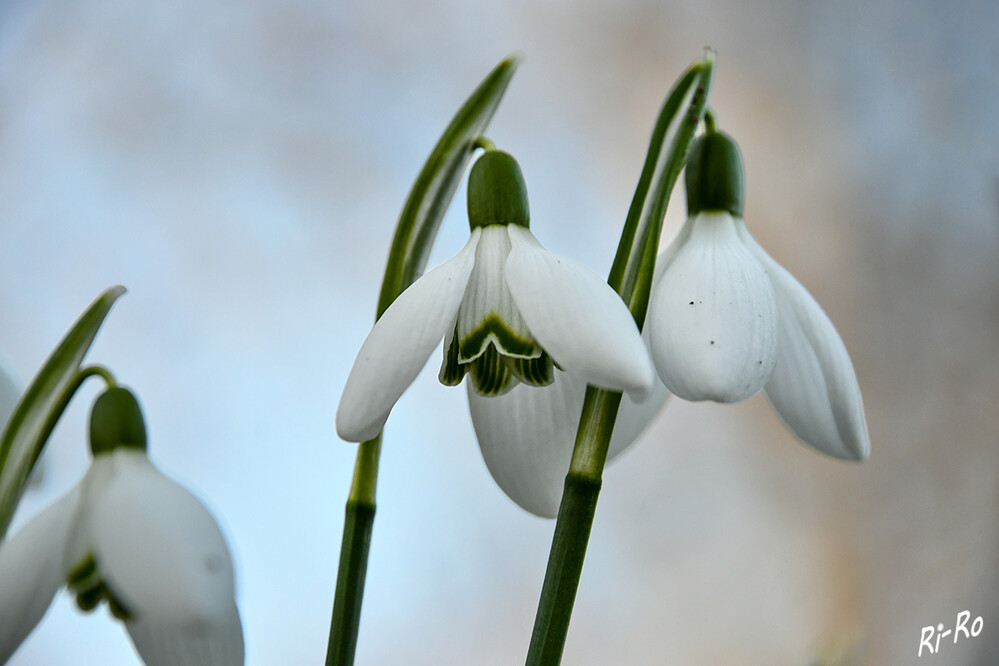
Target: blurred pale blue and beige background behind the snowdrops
240 166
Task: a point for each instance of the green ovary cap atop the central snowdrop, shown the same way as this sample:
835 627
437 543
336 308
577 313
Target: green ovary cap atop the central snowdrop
496 192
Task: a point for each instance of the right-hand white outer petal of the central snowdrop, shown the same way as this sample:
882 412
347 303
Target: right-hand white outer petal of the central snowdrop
576 317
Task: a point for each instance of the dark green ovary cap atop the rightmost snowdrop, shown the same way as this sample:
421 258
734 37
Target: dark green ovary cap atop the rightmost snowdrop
715 179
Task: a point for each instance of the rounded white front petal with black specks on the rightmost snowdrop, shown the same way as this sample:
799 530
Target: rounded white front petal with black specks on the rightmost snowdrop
713 314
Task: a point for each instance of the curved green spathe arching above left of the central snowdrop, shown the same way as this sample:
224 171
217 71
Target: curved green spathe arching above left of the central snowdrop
435 186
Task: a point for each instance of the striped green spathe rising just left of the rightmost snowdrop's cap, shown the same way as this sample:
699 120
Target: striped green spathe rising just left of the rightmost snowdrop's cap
634 264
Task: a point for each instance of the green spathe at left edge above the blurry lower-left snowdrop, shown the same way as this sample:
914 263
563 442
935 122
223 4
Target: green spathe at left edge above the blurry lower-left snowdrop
42 404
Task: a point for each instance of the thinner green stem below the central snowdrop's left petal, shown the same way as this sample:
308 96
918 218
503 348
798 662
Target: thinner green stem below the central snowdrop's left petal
358 524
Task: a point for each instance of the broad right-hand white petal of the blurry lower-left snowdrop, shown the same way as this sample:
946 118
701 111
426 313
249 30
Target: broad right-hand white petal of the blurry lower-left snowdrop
161 554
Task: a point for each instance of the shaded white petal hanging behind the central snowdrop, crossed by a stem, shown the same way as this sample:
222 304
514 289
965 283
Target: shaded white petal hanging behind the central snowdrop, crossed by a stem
527 436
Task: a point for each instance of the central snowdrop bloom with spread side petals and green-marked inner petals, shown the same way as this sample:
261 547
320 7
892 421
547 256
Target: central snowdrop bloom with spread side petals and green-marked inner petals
509 313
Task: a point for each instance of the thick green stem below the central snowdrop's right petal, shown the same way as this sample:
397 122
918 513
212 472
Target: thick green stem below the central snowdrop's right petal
572 530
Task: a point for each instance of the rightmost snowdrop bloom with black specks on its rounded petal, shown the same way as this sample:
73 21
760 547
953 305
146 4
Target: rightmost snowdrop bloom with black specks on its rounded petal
725 320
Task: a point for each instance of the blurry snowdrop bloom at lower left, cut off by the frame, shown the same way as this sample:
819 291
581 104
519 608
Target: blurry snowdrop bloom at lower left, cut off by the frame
131 537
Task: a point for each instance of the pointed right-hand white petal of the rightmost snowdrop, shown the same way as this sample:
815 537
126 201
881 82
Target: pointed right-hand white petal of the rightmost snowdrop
813 387
